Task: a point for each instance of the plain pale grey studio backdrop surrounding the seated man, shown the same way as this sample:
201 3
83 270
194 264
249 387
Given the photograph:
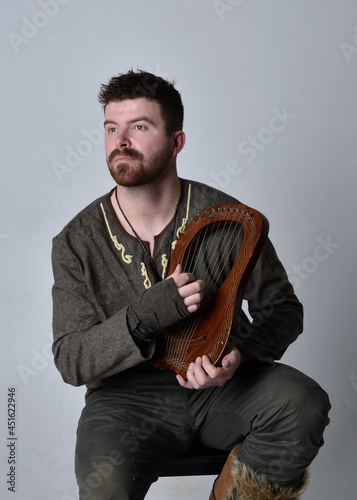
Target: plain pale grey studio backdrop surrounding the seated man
269 88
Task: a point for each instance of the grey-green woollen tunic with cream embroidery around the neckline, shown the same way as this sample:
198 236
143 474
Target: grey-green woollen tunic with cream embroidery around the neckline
108 300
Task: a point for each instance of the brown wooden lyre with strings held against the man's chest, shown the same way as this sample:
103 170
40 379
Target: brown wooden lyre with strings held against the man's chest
212 329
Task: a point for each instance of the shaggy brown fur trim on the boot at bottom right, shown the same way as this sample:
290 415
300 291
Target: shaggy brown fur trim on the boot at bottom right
250 485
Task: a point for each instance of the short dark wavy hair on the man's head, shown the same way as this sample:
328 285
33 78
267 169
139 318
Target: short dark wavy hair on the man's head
134 84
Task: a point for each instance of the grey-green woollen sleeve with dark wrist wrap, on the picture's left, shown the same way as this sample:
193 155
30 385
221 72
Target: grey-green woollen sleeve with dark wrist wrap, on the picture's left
88 346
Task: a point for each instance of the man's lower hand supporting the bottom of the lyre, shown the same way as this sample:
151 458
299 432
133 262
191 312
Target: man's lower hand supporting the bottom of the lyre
203 374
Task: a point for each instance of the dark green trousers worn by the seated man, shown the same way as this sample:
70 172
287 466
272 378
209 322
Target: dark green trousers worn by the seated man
127 434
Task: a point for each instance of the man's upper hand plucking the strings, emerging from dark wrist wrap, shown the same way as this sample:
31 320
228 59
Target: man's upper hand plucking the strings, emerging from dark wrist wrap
189 289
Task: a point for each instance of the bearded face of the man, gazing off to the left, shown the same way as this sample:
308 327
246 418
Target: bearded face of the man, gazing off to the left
137 147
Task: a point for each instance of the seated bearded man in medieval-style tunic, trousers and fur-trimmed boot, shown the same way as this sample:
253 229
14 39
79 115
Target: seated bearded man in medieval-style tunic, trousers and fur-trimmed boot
111 295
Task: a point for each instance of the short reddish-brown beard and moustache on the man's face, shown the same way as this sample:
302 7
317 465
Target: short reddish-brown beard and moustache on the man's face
140 172
